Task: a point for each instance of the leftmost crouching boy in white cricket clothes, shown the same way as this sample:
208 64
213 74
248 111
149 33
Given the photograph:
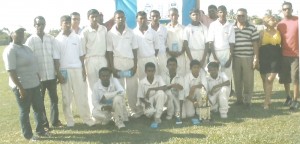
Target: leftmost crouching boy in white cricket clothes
108 99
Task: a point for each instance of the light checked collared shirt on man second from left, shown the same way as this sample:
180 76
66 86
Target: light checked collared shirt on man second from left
43 50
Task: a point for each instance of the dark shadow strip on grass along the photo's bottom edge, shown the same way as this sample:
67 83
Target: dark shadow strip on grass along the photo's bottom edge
122 136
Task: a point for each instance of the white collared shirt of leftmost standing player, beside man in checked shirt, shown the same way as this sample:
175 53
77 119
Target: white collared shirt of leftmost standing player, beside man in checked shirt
69 51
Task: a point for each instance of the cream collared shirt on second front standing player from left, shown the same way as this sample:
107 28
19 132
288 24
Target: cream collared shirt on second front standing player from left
94 41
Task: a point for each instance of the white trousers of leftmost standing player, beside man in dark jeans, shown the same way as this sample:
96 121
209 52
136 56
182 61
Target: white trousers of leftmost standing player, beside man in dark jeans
75 87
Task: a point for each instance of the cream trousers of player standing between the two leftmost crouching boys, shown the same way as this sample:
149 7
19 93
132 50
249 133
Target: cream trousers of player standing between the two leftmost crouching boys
130 84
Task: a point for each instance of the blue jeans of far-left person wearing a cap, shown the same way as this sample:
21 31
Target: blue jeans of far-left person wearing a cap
32 97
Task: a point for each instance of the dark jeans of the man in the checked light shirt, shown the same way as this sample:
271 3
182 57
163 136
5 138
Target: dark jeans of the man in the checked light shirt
50 85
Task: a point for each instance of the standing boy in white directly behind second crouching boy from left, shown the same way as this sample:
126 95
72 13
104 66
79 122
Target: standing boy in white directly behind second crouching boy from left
147 43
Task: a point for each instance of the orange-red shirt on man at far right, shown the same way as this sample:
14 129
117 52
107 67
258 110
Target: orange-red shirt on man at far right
289 31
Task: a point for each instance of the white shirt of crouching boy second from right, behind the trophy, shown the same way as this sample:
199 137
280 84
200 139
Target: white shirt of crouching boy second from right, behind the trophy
190 81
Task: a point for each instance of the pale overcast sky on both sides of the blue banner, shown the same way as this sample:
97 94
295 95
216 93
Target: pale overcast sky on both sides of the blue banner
22 12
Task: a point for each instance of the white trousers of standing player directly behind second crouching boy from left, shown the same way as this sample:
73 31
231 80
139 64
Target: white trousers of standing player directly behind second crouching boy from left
141 66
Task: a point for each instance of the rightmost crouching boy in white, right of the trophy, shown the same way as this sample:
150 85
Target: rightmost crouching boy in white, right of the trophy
218 87
